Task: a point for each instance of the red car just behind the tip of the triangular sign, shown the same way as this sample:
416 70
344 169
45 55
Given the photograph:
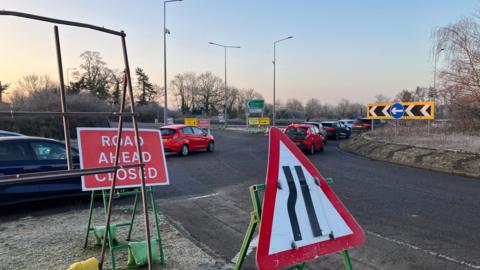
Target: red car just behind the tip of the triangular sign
306 137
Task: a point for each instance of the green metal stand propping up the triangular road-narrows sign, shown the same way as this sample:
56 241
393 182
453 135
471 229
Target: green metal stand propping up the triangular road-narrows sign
255 217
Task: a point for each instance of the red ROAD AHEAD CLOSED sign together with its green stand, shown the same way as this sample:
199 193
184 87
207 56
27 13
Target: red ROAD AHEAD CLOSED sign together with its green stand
97 147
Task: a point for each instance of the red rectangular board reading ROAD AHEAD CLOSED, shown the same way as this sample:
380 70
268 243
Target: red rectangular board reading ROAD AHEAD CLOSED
97 149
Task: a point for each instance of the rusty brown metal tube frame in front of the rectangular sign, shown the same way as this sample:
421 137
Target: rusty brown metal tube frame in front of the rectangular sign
127 87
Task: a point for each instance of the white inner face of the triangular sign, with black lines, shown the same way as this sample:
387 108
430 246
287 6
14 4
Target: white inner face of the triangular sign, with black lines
303 215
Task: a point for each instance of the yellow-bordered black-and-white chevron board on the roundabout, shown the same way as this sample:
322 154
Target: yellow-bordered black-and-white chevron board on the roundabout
419 110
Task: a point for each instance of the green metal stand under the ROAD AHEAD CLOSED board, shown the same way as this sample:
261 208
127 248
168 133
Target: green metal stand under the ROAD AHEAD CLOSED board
113 244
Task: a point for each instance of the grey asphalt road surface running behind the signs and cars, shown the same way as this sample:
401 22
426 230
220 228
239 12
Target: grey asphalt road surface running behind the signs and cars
413 218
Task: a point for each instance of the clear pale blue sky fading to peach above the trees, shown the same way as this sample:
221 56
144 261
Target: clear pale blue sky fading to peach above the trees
341 49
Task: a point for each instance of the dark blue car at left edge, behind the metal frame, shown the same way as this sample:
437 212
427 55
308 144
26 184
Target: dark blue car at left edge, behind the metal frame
23 154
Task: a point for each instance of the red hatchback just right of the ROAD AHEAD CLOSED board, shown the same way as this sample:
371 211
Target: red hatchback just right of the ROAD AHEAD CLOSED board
182 139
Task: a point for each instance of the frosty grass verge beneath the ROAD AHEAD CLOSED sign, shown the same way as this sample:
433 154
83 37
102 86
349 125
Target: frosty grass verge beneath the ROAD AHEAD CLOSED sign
56 241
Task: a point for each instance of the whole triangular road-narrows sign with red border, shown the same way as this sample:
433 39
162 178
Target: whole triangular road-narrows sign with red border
302 218
